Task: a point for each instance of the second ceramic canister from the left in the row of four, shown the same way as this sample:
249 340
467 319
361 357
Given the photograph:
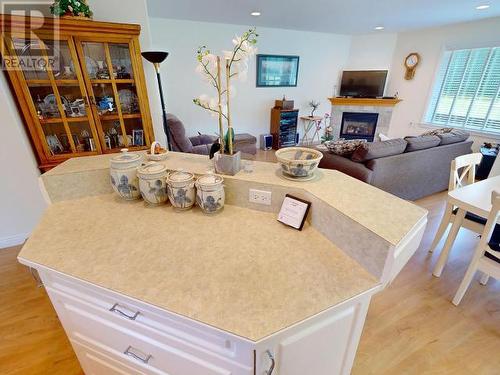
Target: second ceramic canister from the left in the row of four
152 182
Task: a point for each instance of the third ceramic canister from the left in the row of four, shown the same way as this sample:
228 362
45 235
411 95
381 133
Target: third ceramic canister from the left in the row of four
180 190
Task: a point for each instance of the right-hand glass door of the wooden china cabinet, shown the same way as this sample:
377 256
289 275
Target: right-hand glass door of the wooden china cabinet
111 82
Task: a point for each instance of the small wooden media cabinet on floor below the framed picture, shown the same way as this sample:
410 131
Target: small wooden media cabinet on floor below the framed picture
284 127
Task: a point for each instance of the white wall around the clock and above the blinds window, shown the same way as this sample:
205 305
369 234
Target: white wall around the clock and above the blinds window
430 43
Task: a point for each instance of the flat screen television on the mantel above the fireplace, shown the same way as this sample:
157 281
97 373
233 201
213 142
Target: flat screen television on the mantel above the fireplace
363 83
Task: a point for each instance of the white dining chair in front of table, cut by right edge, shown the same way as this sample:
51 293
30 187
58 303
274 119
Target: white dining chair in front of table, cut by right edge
487 254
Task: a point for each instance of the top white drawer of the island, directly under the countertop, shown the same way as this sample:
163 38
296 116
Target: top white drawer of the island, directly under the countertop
148 317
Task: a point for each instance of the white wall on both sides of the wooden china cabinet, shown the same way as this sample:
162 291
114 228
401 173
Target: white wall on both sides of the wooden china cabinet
21 203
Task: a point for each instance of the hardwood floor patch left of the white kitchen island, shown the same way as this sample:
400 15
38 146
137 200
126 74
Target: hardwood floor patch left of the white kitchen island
32 340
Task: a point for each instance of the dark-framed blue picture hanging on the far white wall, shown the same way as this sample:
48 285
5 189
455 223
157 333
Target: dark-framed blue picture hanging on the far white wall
277 70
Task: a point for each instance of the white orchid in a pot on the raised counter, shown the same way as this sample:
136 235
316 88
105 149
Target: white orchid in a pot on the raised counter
235 65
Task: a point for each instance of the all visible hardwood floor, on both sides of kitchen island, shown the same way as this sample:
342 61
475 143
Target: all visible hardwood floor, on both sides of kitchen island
412 327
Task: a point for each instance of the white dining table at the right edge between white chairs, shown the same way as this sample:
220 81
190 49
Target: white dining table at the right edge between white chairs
474 198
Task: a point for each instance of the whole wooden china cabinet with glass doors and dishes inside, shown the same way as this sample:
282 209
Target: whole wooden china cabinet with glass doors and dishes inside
79 84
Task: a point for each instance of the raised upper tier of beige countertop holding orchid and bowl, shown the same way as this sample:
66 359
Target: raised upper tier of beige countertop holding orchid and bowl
386 215
